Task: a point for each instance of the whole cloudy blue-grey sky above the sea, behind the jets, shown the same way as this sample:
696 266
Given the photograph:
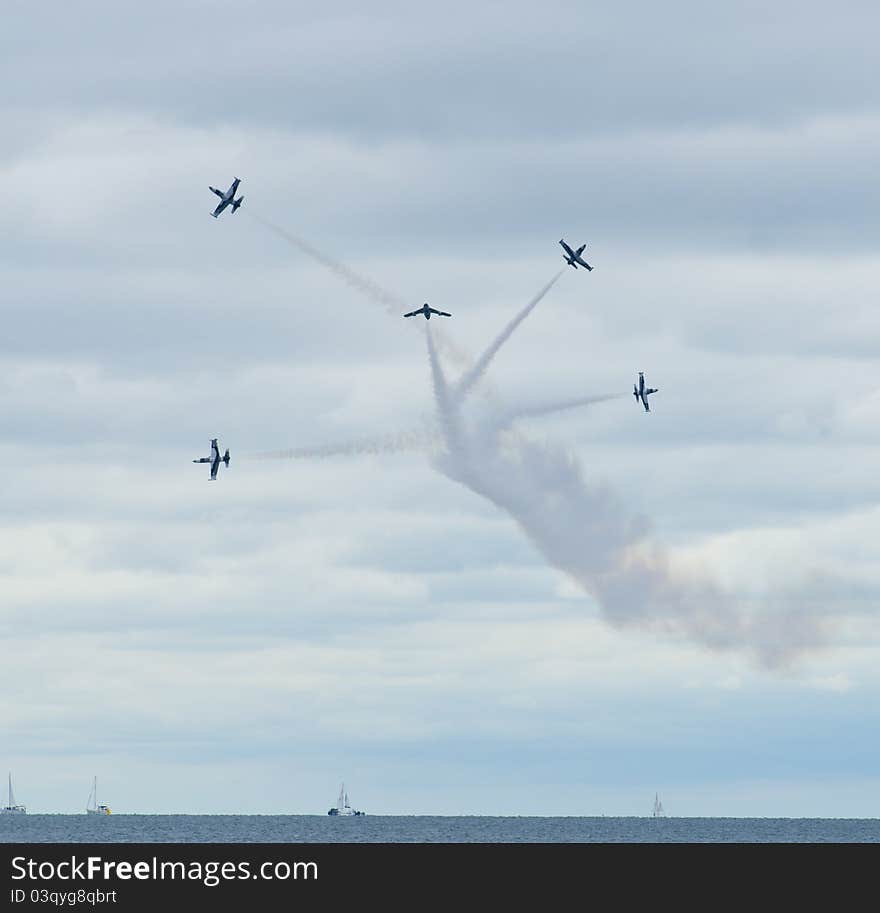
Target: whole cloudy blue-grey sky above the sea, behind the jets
464 601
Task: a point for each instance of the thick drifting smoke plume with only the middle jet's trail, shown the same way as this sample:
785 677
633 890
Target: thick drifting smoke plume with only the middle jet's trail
585 531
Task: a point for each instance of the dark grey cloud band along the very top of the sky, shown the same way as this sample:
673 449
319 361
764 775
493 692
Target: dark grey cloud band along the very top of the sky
487 71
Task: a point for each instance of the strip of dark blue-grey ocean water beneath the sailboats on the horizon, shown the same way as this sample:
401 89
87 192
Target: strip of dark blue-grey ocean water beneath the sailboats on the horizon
429 829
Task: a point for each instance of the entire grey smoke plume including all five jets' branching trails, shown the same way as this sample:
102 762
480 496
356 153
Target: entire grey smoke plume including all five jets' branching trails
582 528
